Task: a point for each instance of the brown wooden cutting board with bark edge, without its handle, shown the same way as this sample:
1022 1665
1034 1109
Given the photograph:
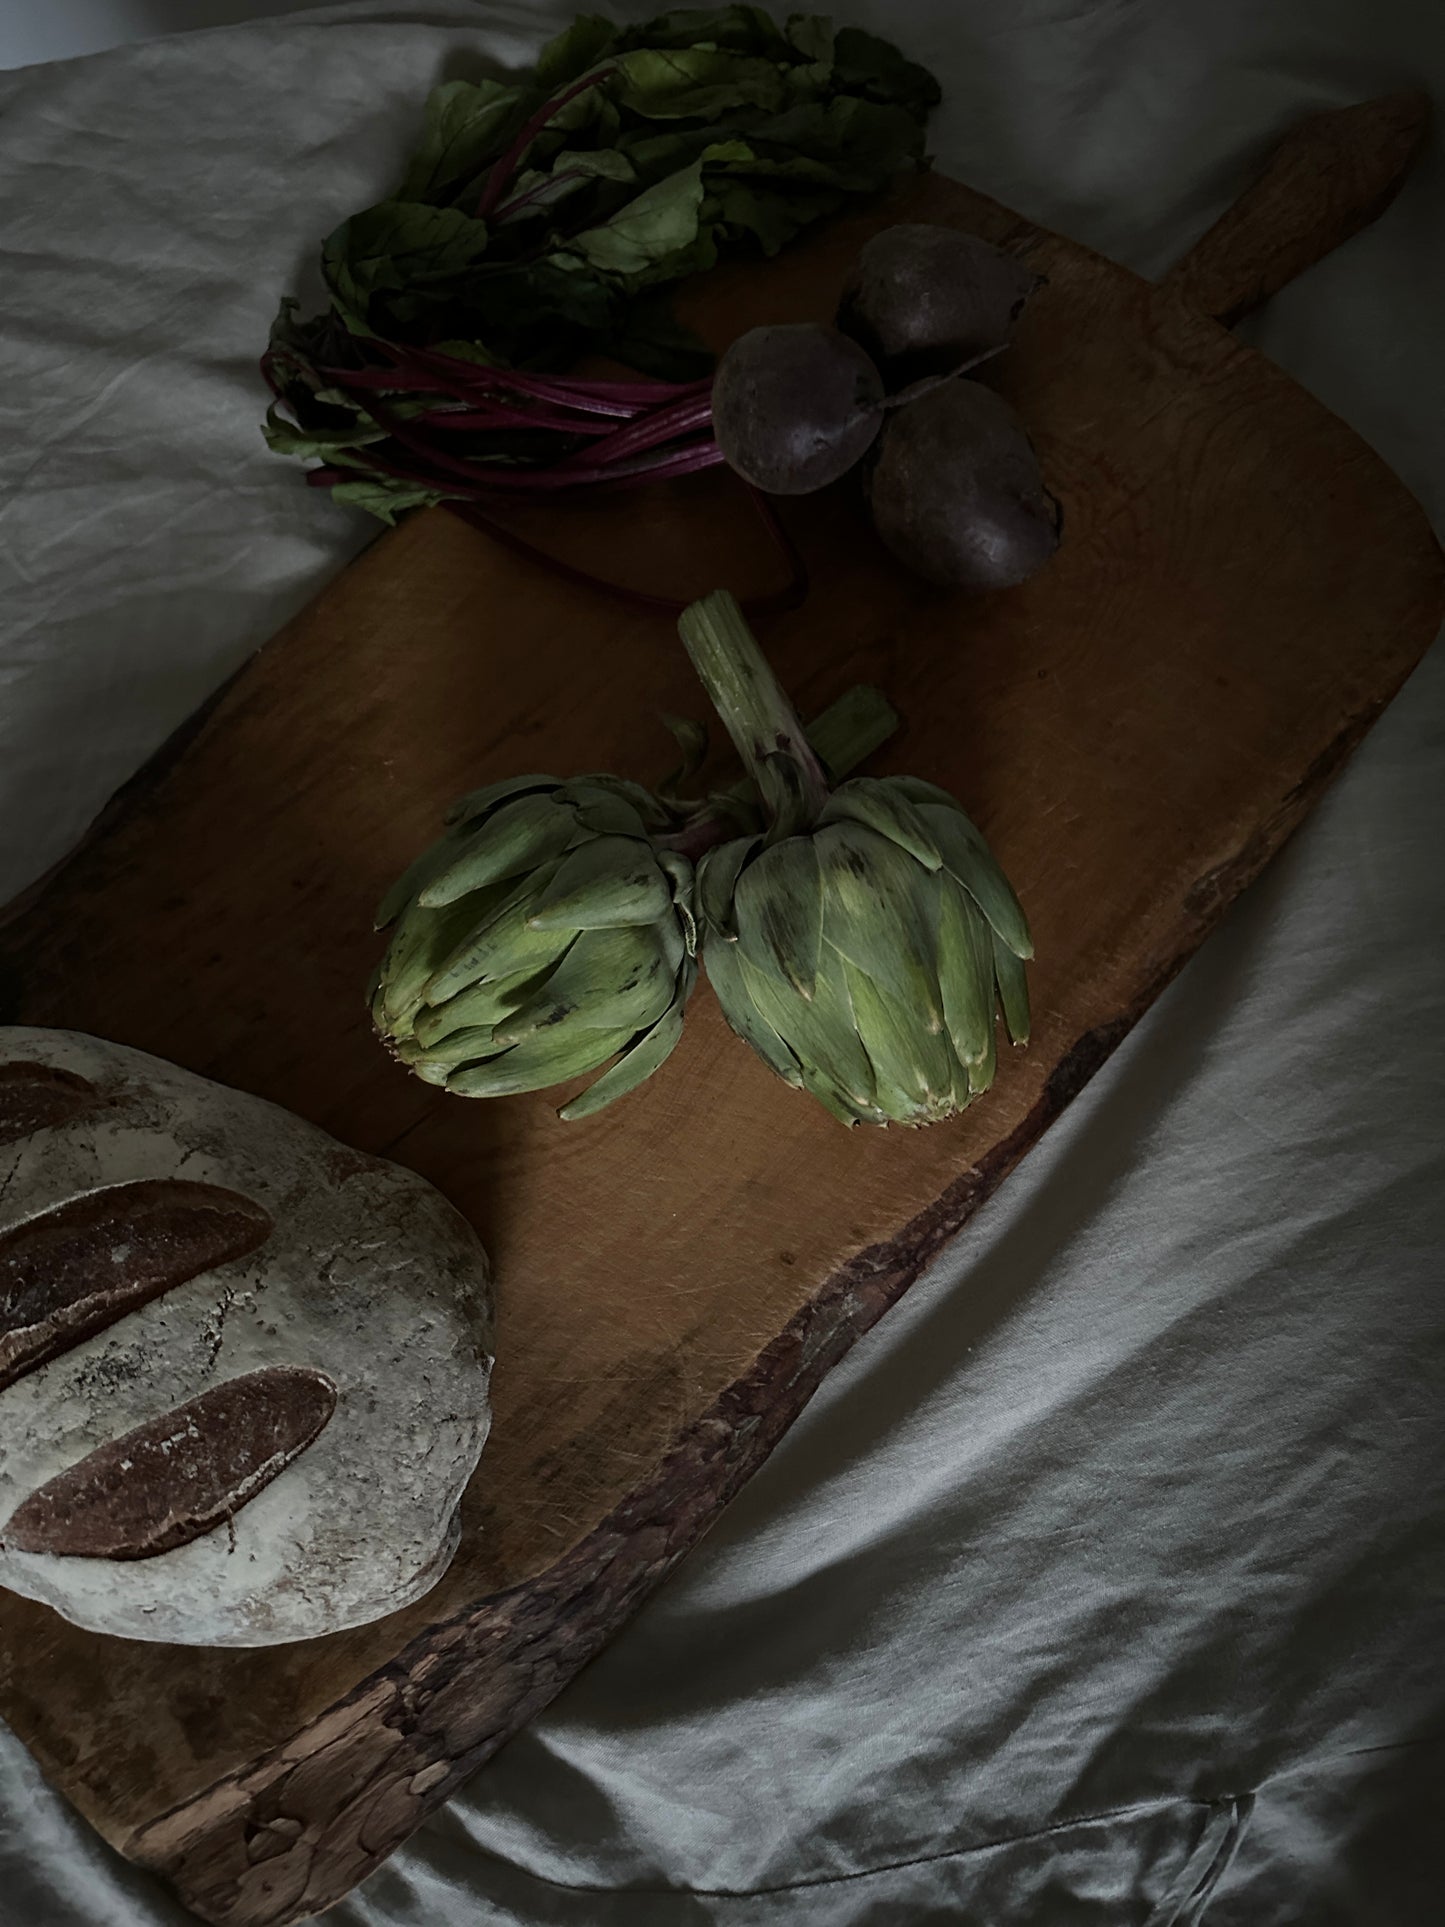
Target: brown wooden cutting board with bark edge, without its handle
1242 589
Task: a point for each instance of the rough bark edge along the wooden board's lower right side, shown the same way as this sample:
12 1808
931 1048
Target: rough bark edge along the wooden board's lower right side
294 1834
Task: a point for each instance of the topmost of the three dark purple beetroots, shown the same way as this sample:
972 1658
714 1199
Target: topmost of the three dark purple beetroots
926 300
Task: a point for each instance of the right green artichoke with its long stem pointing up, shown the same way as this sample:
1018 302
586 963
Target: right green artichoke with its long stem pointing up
864 943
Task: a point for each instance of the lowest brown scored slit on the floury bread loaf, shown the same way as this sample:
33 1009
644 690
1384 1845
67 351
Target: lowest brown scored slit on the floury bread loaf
176 1477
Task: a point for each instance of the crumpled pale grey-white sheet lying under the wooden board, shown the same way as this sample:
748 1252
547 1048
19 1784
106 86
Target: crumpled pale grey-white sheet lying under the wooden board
1103 1583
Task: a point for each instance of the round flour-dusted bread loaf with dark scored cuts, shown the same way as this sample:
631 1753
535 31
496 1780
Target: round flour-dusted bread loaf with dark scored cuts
244 1369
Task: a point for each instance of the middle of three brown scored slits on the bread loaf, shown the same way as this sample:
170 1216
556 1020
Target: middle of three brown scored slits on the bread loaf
80 1267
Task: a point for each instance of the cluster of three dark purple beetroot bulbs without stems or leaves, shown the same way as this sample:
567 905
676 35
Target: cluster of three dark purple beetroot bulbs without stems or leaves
949 471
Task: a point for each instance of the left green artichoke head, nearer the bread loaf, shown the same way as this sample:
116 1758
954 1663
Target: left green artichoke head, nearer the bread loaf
539 937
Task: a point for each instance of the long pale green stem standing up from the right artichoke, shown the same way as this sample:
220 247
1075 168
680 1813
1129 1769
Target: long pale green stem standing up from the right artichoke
756 712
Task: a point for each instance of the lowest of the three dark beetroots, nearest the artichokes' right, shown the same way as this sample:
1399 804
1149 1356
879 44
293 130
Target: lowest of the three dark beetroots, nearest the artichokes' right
957 490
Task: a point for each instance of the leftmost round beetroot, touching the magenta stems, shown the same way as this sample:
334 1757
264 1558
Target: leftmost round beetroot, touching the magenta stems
795 406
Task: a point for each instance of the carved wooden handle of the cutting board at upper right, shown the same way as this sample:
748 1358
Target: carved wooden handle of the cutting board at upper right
1328 178
